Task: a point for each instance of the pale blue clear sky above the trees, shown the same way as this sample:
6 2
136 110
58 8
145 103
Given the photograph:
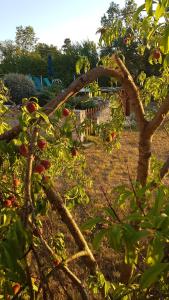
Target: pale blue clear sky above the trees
54 20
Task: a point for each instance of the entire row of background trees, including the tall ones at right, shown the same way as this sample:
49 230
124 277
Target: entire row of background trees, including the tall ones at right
25 55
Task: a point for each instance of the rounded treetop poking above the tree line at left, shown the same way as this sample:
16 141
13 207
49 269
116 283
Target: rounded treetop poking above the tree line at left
25 38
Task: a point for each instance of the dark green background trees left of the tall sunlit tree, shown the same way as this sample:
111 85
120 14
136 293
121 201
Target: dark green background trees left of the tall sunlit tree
26 56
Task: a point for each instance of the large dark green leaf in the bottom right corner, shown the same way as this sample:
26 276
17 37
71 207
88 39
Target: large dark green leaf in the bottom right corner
152 274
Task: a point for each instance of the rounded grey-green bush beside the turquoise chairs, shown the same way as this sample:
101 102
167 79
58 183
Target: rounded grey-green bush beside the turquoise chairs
20 86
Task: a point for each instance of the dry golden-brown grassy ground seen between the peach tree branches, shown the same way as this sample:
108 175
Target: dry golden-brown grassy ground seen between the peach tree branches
109 171
